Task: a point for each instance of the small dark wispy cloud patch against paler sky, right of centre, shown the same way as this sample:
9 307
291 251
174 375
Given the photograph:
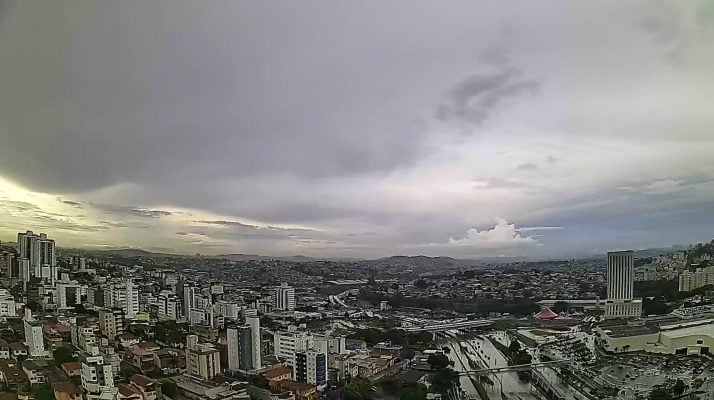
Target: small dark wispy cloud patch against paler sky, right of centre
476 97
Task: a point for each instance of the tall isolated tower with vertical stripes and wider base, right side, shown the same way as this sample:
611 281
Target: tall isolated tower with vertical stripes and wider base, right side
620 301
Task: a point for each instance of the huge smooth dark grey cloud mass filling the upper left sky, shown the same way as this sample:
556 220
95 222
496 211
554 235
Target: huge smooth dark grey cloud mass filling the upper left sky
100 100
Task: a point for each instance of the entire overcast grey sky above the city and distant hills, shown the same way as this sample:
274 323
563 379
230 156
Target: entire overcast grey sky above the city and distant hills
358 128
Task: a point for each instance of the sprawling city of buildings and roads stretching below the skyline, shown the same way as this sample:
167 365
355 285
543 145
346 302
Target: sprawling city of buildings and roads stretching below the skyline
133 325
